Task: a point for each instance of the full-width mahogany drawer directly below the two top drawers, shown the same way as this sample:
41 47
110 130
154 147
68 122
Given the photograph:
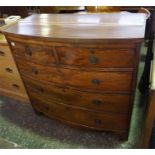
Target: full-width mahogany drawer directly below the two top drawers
98 81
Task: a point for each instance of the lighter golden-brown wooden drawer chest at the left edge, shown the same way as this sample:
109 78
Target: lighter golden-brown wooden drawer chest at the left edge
11 84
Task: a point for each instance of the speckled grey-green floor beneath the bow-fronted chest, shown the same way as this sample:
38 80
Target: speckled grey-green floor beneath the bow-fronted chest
20 127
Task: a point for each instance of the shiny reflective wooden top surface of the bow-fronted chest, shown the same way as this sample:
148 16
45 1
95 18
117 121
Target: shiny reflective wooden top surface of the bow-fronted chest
82 26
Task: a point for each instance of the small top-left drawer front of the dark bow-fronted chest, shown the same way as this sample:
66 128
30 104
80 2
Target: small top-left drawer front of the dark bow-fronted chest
34 52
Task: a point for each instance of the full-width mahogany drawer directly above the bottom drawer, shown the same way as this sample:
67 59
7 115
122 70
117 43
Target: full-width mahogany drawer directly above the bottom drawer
93 101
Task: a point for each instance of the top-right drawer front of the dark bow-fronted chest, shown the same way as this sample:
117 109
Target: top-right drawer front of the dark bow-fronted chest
108 58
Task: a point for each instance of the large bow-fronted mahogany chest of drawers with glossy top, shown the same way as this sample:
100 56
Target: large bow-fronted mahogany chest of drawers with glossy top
80 69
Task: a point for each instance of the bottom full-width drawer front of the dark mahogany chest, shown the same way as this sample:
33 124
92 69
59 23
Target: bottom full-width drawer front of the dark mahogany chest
101 121
